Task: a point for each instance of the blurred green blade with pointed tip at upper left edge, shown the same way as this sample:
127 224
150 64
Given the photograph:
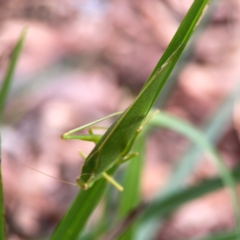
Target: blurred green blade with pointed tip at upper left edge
9 73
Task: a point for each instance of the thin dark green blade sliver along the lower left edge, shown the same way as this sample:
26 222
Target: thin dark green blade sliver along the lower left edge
2 218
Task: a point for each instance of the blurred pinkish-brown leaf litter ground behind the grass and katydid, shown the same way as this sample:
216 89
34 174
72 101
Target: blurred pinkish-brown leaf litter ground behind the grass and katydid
83 60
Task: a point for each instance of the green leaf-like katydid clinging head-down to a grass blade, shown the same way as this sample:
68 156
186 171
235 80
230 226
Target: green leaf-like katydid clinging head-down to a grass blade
114 146
